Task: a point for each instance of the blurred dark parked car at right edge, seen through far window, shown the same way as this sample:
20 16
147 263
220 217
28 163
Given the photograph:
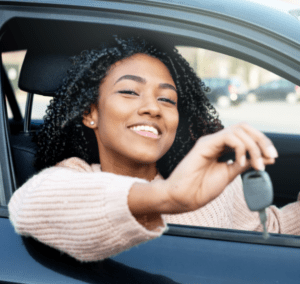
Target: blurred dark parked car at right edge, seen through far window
275 90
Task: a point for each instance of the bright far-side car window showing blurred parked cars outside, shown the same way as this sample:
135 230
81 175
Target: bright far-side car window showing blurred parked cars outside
241 91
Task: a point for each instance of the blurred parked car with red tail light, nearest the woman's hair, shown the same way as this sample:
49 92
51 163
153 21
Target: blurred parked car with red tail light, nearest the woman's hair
223 92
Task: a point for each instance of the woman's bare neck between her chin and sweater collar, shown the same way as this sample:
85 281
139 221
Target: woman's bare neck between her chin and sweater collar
123 166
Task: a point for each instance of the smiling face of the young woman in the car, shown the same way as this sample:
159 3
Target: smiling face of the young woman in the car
137 114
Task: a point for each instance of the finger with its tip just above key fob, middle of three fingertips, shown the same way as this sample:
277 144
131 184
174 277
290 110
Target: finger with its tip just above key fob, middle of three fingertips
256 159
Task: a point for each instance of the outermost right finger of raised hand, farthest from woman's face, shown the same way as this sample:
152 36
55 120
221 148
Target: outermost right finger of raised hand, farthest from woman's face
267 148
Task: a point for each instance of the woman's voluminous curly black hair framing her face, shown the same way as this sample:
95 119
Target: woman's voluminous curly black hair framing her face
63 134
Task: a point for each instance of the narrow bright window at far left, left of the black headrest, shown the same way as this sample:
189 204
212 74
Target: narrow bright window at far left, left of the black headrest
12 62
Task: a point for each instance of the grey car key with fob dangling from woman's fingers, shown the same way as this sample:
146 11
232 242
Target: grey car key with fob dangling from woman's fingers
258 191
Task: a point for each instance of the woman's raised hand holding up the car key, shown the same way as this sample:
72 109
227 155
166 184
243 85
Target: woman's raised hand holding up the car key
199 177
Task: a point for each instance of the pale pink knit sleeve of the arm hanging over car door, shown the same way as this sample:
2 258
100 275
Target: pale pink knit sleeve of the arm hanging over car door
84 214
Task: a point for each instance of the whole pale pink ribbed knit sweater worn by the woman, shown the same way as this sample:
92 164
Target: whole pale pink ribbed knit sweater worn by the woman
76 208
